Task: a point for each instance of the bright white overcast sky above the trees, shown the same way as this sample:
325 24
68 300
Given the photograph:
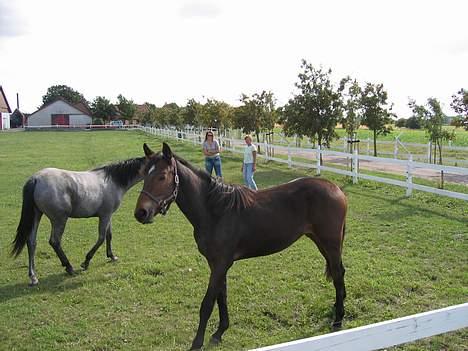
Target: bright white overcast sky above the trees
171 51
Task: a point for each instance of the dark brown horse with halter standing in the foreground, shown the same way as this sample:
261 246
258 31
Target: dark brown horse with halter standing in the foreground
232 222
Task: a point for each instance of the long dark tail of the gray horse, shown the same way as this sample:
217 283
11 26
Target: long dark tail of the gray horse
26 223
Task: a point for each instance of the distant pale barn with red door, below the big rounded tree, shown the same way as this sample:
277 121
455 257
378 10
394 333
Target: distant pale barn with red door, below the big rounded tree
60 113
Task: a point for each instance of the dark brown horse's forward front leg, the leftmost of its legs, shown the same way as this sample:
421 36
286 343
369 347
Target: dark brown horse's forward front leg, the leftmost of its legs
215 286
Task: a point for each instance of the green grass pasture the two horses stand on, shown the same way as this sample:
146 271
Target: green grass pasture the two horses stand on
402 255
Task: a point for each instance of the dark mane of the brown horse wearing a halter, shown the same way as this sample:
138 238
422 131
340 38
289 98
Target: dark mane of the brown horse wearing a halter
222 197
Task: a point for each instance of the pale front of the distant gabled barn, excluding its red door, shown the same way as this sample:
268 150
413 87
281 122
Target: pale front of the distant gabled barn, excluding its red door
44 116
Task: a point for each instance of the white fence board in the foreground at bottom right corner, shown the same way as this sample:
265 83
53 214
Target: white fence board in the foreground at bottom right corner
384 334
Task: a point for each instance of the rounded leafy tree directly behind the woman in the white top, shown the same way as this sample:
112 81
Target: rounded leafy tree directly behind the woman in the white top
256 114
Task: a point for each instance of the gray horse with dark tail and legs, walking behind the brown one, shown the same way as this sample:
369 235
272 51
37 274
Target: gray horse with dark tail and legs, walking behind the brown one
61 194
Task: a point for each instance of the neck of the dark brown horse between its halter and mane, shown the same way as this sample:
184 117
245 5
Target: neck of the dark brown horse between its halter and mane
191 196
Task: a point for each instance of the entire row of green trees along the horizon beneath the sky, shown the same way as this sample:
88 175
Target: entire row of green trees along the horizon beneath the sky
318 105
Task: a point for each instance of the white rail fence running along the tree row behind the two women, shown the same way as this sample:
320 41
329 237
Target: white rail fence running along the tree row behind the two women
310 158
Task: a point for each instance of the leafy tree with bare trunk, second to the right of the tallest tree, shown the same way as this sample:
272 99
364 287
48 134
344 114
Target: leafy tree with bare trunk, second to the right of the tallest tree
376 113
